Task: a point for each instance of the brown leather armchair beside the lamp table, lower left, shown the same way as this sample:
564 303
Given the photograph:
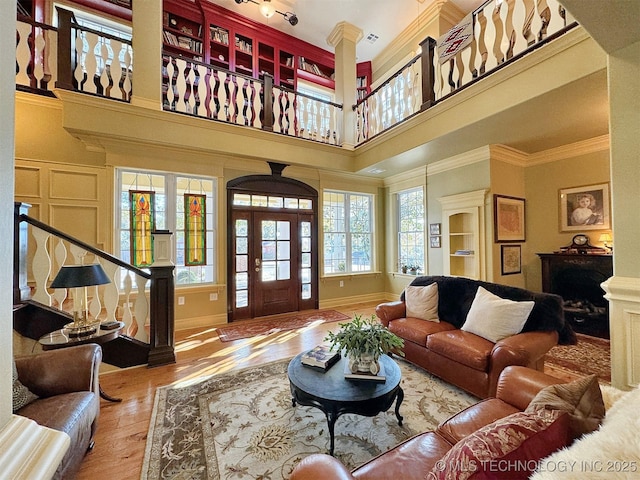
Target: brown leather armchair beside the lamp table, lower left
66 382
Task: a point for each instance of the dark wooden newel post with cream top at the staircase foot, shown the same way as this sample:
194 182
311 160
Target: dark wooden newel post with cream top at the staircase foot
162 293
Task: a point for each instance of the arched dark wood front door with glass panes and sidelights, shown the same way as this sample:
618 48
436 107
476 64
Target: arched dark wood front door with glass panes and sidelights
272 242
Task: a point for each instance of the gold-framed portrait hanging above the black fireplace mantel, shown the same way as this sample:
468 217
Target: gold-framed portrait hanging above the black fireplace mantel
585 208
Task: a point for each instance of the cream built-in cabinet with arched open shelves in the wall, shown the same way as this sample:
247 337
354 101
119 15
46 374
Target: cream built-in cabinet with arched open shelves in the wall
463 225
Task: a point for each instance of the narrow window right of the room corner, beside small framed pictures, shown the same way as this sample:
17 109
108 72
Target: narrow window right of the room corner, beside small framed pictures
411 228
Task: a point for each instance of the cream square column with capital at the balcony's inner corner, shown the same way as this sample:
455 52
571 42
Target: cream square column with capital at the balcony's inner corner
343 39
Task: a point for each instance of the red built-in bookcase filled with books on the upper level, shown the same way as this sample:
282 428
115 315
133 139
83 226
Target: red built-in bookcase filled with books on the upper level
224 39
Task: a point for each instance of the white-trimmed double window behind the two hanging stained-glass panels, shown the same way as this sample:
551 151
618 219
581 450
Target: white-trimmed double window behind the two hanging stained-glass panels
169 190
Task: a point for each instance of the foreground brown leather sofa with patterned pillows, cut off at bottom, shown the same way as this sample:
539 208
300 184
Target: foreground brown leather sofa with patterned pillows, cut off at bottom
416 457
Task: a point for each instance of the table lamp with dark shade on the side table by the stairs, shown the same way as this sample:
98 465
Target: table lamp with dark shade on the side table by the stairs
76 277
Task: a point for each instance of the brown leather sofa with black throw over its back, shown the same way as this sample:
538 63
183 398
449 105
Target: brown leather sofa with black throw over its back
465 359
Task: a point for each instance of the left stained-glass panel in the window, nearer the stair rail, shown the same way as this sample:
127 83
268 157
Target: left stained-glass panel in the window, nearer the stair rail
142 224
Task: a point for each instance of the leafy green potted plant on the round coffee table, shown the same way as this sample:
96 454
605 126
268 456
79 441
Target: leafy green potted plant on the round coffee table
363 340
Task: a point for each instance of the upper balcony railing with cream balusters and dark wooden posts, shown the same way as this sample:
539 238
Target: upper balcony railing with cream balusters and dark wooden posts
80 59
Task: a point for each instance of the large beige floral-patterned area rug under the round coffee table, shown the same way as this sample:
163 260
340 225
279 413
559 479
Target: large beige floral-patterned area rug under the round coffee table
242 424
